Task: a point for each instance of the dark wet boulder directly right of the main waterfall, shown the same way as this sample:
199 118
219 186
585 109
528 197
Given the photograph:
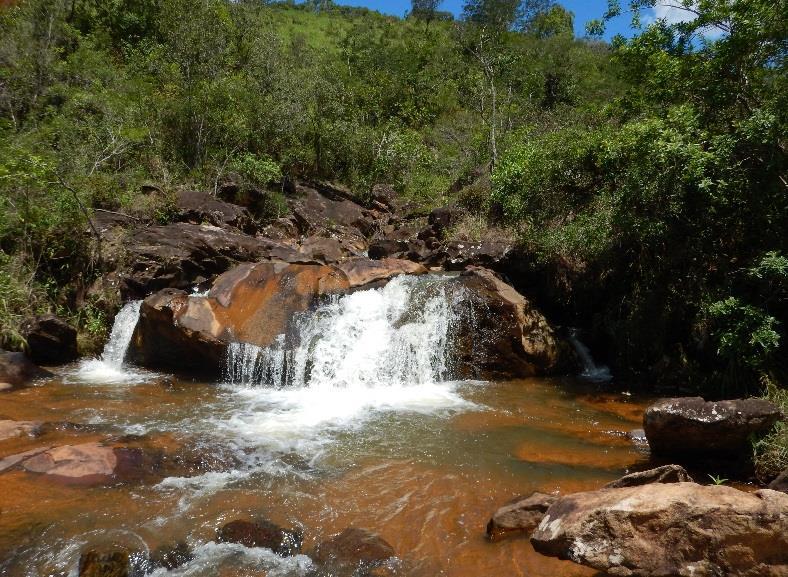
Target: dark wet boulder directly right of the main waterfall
504 335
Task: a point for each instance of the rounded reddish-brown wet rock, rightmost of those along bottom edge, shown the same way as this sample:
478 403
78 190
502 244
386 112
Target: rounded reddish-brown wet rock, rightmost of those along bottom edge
352 548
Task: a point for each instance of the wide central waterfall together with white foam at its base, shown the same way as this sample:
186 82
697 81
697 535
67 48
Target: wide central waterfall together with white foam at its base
385 349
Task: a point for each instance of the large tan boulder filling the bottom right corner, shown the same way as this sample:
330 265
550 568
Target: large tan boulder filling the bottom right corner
661 530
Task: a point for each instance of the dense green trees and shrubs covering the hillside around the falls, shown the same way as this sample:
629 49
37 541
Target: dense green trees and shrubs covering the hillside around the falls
645 178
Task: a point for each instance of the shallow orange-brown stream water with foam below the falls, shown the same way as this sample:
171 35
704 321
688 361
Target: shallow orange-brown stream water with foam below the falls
422 466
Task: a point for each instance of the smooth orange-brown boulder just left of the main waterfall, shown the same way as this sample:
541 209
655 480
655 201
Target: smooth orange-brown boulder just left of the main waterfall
252 303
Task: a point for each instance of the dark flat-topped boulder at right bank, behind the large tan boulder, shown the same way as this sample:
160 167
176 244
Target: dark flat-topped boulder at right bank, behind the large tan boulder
692 426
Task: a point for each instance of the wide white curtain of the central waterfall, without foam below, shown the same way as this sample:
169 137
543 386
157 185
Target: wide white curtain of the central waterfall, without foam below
397 335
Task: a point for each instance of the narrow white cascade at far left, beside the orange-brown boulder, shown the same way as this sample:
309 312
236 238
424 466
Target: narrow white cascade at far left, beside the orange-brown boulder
109 368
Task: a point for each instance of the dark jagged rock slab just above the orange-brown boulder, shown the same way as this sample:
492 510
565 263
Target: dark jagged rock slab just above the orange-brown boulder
183 255
